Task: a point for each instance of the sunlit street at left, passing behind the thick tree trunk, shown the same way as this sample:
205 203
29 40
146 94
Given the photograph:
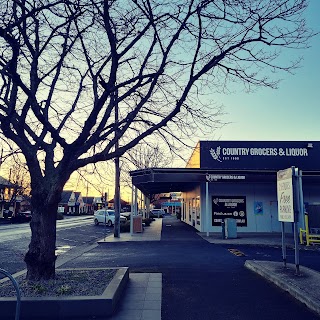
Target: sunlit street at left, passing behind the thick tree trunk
72 233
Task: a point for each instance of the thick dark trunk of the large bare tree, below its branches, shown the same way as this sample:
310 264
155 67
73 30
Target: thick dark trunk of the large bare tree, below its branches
40 258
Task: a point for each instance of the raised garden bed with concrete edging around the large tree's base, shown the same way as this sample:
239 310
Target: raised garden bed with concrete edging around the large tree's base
82 294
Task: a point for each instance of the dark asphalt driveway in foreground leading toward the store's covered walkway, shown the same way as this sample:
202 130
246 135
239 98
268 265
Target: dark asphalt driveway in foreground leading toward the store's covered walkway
200 280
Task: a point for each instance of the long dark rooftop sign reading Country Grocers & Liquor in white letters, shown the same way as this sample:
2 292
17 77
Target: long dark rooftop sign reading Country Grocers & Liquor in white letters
259 155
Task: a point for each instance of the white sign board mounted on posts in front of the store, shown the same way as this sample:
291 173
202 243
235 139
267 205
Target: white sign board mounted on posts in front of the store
285 195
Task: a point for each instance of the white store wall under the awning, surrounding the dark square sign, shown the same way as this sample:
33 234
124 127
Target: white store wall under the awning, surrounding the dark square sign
262 192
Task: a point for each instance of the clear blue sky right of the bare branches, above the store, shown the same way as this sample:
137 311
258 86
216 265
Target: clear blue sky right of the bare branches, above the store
291 112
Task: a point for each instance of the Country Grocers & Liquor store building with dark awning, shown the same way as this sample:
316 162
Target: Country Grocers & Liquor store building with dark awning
237 179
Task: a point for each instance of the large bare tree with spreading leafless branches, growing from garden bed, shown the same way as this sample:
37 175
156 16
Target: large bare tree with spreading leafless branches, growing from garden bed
68 66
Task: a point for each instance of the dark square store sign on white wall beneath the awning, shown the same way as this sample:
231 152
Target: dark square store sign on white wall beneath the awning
229 207
